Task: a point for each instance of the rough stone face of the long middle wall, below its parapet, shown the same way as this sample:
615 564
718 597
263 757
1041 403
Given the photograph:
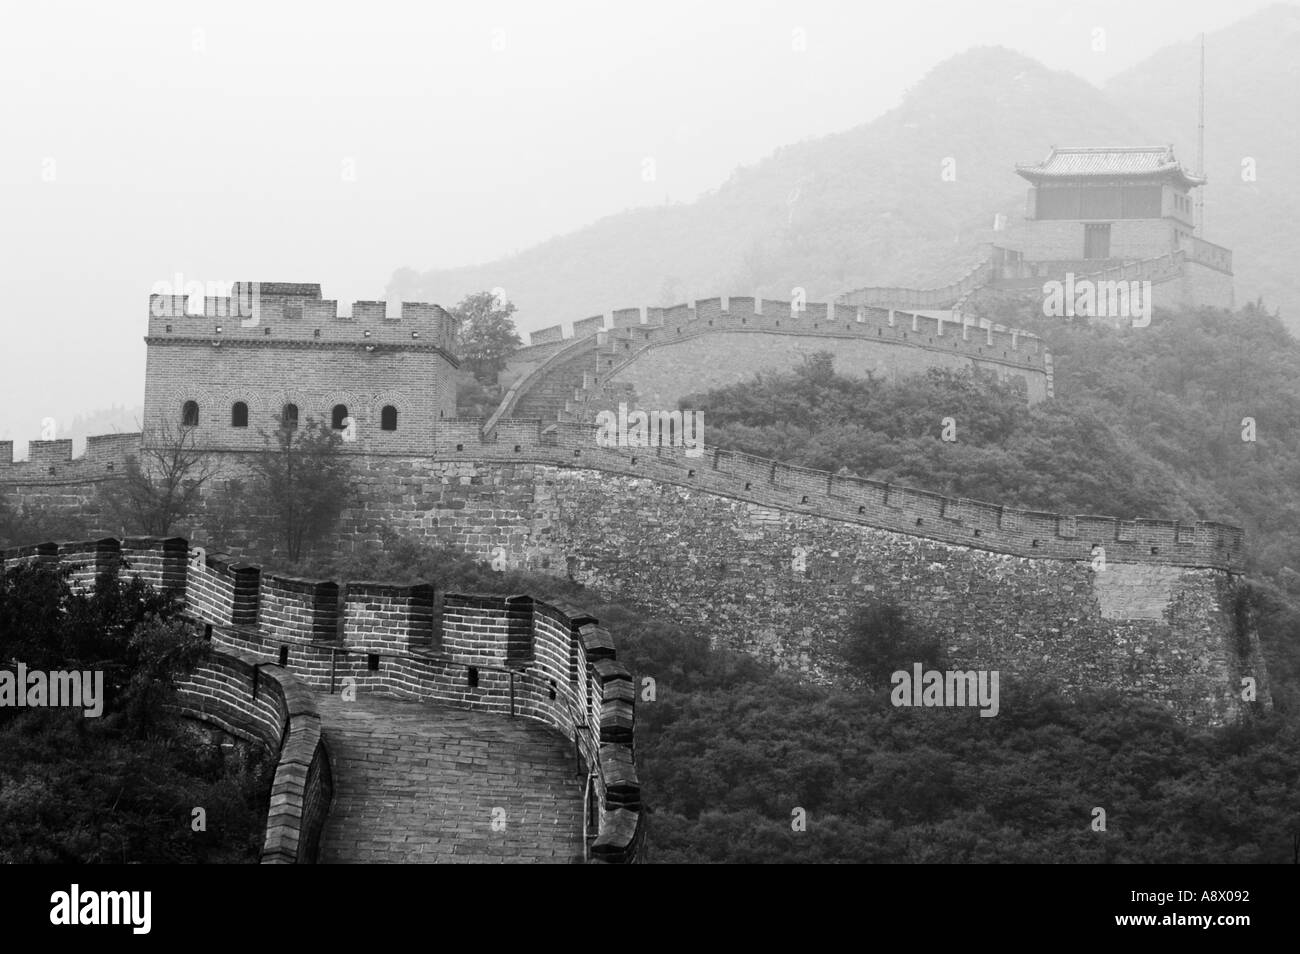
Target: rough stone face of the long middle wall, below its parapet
730 567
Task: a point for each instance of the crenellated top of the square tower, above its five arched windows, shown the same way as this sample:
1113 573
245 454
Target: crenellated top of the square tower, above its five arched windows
275 315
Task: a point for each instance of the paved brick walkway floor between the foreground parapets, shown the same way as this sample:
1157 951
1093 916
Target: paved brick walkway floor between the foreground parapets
419 783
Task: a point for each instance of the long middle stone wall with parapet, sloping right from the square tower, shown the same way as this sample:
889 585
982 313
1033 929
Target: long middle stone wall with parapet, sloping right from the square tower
699 539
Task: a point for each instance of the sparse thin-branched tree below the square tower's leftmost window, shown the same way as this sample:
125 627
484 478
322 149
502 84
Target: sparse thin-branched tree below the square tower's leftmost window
163 484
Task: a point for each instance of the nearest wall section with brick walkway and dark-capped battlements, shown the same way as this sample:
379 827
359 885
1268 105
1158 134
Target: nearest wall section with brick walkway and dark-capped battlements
285 649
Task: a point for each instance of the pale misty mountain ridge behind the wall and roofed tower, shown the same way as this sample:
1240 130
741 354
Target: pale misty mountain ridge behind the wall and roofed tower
870 207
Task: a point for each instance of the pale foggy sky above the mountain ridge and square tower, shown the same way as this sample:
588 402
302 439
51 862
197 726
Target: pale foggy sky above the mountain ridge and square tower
213 140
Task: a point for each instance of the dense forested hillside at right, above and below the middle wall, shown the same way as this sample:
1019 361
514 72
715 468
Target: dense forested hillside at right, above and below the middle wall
1146 423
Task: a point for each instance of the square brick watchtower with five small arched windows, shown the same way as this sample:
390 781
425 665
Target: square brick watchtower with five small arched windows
274 353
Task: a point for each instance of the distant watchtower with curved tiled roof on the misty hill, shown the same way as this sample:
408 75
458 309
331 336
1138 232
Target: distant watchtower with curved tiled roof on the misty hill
1094 209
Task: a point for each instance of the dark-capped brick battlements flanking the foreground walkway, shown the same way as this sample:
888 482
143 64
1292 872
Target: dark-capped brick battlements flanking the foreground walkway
497 654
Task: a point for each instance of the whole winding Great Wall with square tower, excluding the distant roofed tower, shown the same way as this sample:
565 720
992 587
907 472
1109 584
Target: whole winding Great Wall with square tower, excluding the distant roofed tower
757 556
